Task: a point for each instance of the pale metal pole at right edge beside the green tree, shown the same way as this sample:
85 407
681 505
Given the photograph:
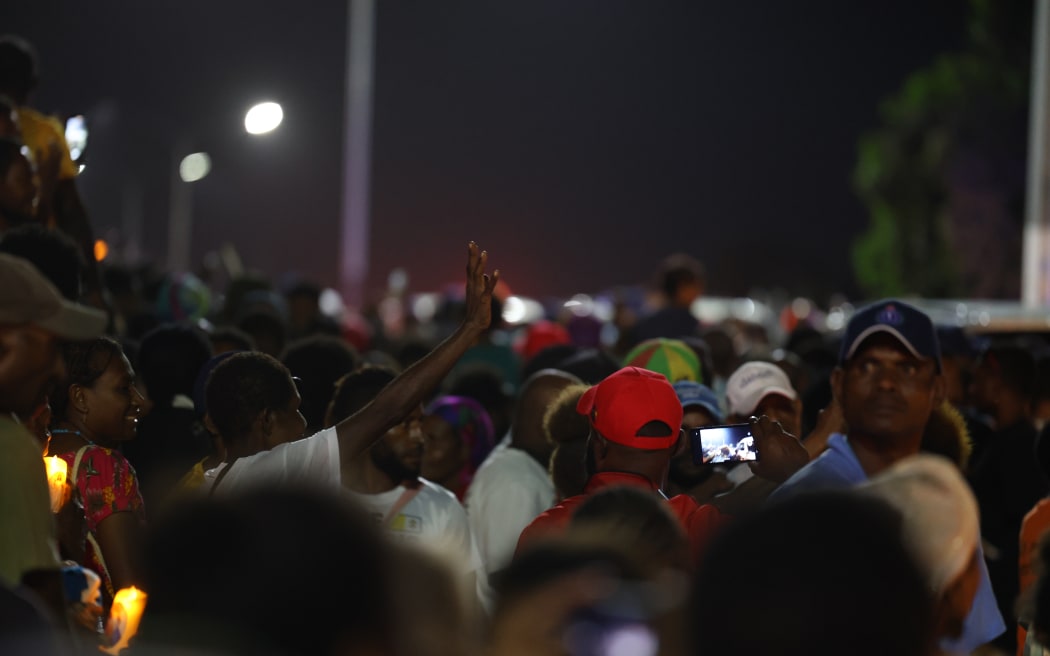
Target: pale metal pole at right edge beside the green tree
1036 273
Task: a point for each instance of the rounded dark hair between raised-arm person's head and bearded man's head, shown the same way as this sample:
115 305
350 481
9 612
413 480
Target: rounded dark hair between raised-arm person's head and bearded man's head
319 362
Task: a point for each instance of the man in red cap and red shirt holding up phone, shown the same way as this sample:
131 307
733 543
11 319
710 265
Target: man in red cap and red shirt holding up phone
636 419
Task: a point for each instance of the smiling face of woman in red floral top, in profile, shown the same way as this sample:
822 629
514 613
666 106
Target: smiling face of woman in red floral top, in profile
114 404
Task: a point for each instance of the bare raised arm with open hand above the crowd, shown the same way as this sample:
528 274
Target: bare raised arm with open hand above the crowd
359 432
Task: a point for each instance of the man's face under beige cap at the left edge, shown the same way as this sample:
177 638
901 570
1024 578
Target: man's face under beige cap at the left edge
31 367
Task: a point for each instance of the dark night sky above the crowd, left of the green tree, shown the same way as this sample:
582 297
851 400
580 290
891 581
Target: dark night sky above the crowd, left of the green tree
578 141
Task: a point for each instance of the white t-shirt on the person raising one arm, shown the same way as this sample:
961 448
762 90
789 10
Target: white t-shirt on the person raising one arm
311 461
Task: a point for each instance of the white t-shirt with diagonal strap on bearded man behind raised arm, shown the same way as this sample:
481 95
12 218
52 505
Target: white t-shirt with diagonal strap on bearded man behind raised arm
433 519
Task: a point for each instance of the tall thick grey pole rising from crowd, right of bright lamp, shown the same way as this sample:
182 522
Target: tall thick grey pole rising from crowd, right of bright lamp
354 241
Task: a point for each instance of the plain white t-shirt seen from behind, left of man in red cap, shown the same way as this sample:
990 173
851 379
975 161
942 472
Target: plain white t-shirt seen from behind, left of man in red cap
509 491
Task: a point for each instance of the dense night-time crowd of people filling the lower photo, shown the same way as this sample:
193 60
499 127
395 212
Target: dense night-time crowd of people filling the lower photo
280 481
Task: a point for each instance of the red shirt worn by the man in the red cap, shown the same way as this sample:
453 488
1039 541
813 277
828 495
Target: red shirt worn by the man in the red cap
700 522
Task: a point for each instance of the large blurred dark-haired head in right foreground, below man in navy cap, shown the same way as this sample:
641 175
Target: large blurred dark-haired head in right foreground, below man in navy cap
844 579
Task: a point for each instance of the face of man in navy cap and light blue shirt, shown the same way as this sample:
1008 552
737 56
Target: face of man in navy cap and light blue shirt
887 393
